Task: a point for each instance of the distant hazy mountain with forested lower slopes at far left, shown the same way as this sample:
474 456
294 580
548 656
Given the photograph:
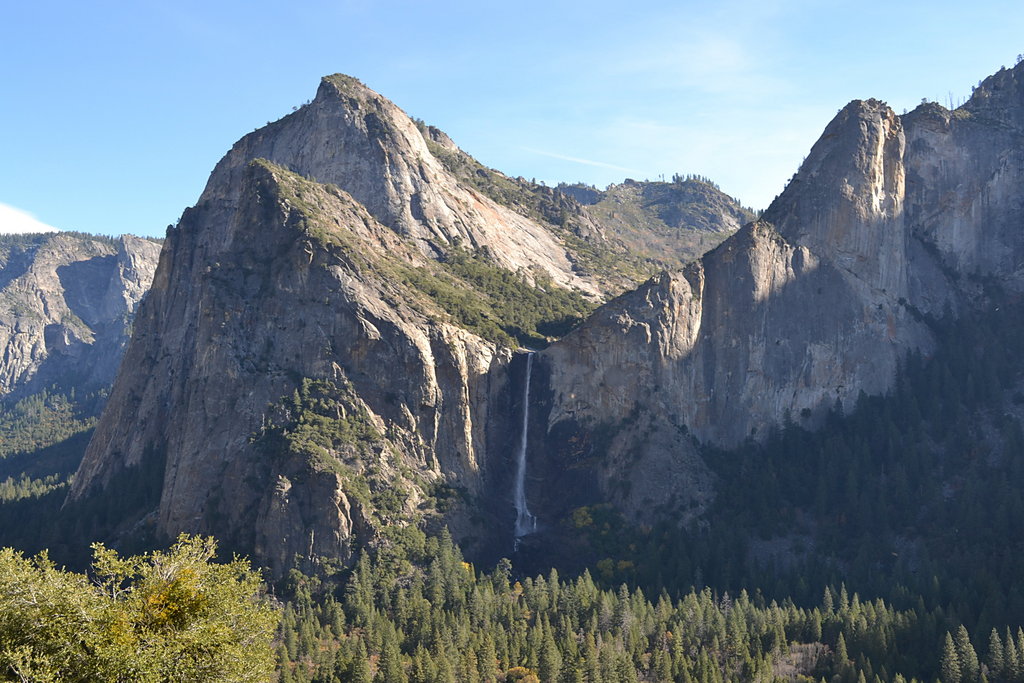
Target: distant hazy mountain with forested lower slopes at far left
67 306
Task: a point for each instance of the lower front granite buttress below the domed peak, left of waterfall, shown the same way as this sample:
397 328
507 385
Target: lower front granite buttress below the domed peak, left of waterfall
253 297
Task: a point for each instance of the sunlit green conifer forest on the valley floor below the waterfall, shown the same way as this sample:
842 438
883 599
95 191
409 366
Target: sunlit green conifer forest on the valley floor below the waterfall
418 613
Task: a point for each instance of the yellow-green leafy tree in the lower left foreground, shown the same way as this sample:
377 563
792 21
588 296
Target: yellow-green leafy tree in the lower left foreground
167 617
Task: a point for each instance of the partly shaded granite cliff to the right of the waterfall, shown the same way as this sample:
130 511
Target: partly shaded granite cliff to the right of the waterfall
890 221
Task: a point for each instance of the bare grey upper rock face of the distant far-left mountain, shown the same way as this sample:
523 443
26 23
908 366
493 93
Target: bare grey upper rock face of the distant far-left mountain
67 302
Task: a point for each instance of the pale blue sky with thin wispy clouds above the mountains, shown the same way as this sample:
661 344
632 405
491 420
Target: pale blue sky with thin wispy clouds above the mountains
114 114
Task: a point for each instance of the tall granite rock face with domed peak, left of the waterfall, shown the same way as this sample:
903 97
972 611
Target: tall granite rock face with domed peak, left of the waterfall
296 275
